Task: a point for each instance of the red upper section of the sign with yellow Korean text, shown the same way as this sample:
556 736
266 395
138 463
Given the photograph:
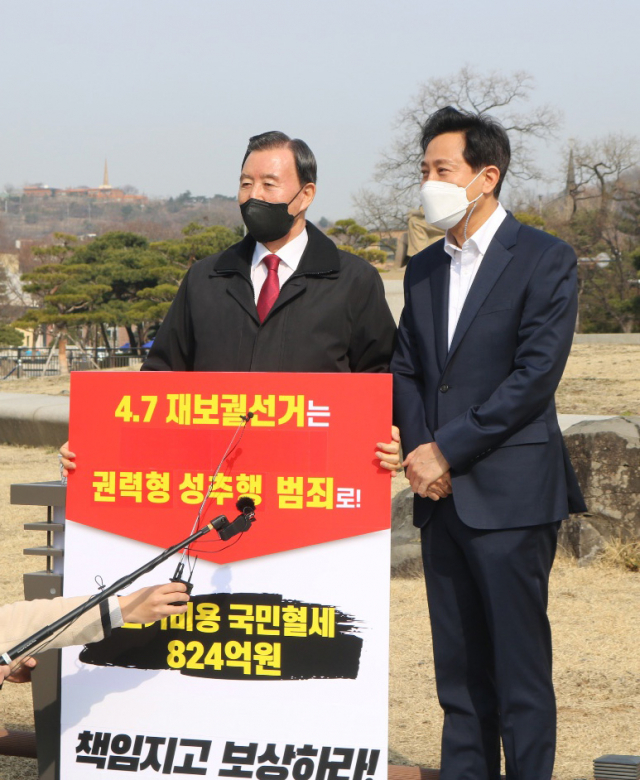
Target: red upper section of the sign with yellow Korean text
148 445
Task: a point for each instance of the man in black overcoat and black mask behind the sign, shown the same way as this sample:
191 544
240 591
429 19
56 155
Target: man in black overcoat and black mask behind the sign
328 310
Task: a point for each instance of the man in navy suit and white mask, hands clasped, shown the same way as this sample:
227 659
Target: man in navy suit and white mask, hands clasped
484 337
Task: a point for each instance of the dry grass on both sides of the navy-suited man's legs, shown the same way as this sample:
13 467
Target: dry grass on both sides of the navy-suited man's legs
596 632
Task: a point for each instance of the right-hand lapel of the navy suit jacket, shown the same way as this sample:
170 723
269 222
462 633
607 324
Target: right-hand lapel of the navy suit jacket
493 264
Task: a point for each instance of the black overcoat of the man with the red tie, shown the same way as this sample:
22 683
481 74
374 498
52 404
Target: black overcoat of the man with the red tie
331 315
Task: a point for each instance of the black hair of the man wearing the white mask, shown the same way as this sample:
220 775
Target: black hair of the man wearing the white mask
486 140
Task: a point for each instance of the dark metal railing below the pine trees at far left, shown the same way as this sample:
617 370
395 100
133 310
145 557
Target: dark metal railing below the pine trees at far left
21 362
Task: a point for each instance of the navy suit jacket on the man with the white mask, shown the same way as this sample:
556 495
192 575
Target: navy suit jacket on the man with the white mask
488 400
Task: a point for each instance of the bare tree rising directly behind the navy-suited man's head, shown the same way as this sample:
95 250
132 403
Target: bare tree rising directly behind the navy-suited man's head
501 95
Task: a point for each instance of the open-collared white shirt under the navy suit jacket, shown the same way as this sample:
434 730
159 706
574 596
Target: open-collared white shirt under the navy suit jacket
465 261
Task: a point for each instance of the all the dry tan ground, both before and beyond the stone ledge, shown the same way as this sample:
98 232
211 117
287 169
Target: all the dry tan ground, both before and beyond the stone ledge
594 610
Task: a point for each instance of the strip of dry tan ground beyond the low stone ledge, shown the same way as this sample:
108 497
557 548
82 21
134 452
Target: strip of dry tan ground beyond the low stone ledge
599 379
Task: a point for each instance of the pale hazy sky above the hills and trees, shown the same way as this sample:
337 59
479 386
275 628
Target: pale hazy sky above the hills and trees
170 90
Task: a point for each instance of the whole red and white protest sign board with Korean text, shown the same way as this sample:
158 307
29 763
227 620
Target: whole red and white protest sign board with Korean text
280 666
